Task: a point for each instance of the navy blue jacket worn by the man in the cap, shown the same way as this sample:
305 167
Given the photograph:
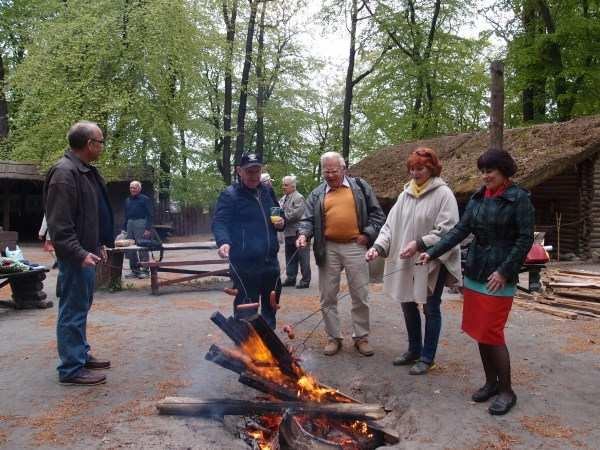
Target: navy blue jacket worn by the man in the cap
242 220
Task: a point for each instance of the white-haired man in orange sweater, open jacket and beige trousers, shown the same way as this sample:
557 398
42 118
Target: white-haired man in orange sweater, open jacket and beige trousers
344 218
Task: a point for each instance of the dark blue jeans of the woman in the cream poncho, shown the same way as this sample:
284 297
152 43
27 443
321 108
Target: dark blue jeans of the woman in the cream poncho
433 322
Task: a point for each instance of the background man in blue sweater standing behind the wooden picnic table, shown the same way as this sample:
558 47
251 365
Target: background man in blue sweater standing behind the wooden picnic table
138 226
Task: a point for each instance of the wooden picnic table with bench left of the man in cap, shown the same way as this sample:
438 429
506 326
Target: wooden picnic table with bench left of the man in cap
157 265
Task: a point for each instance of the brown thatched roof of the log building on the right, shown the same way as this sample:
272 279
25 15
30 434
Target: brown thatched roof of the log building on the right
541 152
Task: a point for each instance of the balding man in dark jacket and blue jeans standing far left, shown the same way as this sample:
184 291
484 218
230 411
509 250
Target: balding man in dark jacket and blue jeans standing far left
80 221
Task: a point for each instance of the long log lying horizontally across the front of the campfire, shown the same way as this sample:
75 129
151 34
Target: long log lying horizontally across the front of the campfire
225 407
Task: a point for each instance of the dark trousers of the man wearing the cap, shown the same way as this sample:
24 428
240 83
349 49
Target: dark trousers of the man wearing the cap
256 285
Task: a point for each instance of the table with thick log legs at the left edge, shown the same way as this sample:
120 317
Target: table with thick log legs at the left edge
27 289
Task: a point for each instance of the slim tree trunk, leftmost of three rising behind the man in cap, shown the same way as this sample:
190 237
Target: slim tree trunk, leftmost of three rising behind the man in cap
225 164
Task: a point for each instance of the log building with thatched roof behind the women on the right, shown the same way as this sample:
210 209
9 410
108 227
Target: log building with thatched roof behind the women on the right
558 163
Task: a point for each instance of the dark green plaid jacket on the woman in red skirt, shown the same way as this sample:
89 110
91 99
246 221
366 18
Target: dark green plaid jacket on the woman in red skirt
503 231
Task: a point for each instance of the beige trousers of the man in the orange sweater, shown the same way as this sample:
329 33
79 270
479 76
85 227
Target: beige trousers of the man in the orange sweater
351 258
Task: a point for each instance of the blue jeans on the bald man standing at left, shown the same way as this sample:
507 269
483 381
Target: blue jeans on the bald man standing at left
76 295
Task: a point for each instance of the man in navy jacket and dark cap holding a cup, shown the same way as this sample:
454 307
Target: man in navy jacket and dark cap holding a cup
246 232
